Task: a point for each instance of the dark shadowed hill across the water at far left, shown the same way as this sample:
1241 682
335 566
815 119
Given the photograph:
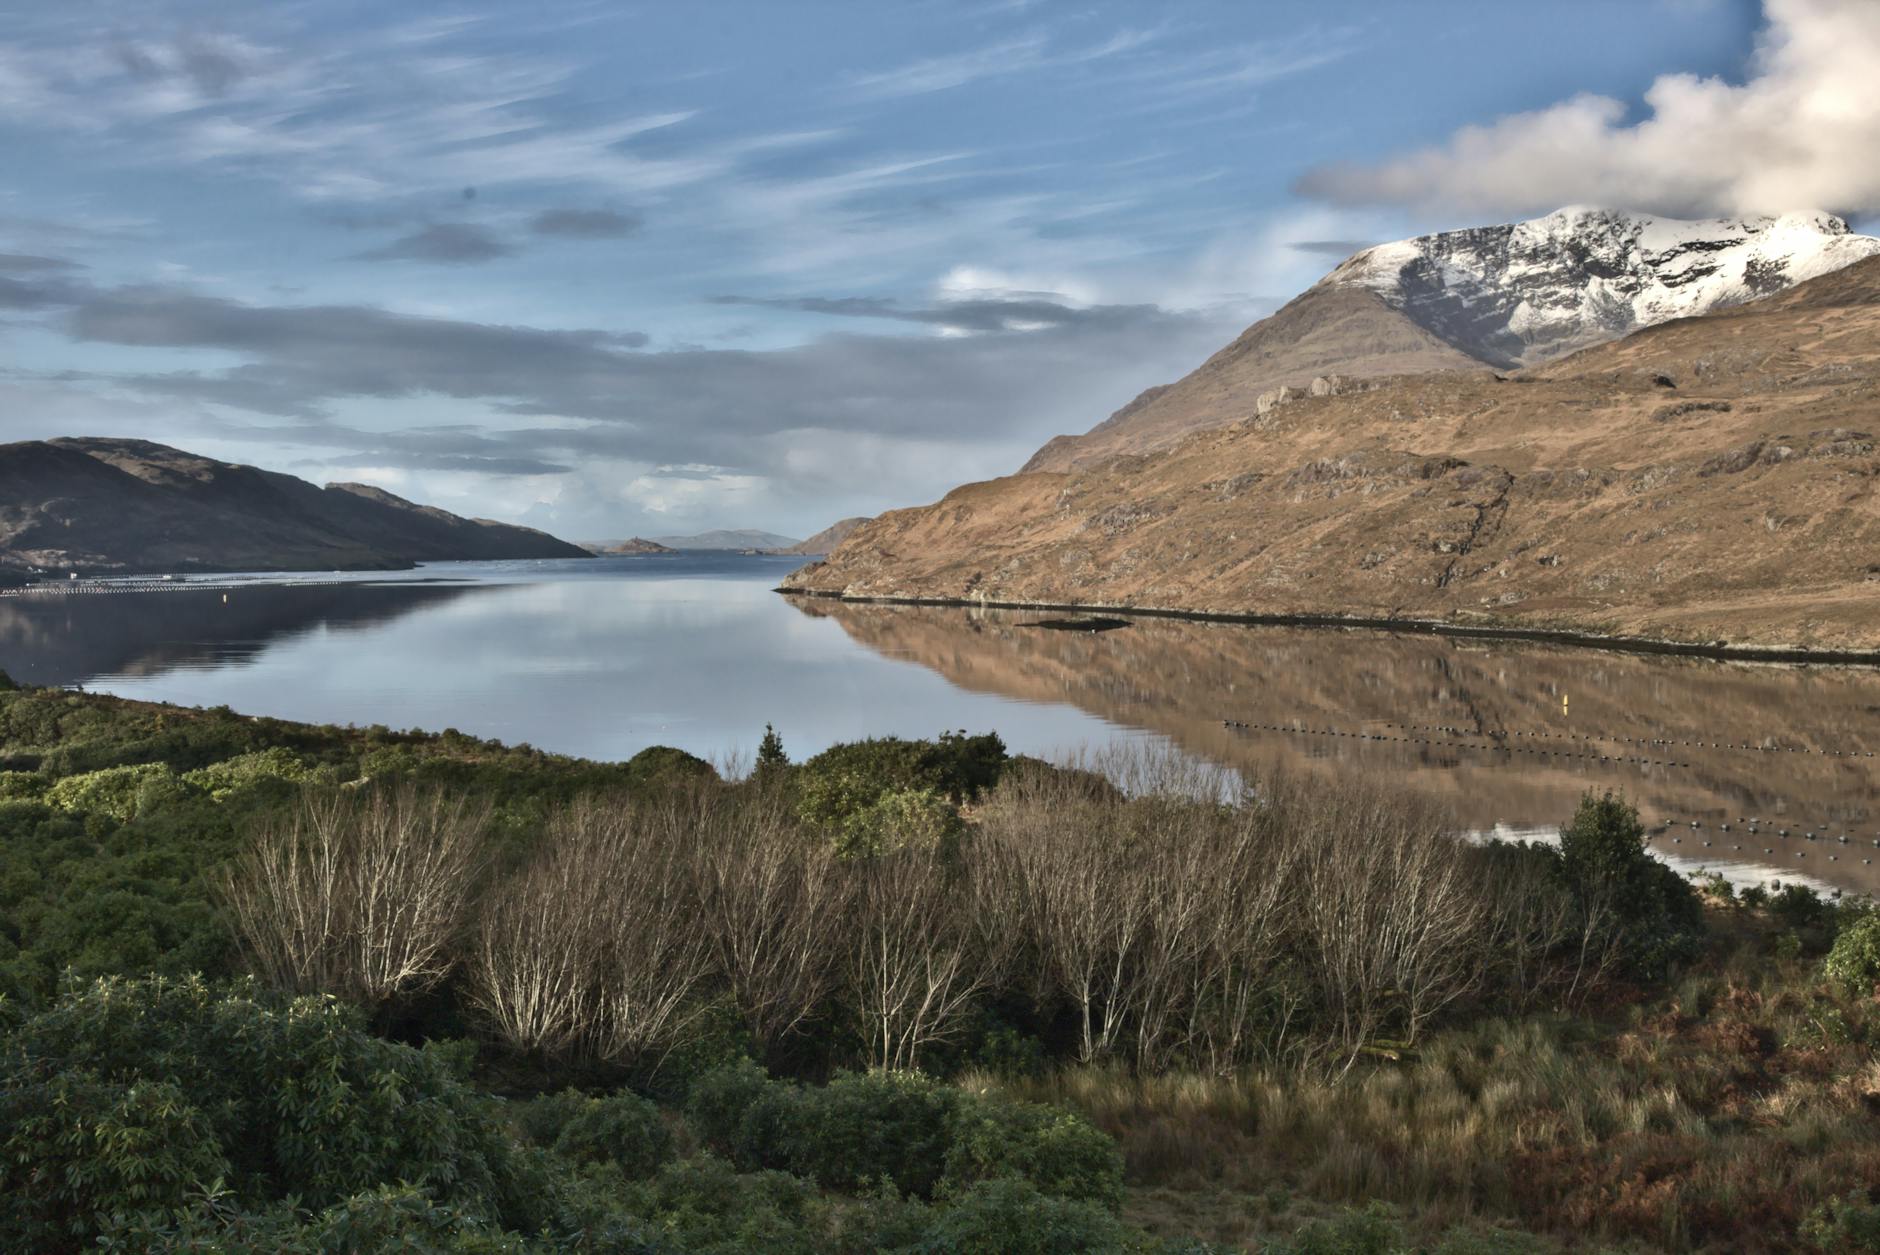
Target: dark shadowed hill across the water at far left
104 506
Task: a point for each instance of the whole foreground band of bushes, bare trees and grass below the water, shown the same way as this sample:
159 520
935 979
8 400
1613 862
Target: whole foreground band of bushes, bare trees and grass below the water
287 987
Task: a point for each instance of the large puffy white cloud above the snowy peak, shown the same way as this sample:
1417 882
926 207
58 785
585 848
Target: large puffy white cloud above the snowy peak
1802 132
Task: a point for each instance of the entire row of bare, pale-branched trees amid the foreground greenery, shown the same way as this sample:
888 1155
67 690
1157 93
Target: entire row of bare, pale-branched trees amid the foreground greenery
1178 922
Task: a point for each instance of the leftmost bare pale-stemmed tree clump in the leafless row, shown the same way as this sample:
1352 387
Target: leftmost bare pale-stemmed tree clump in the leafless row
358 891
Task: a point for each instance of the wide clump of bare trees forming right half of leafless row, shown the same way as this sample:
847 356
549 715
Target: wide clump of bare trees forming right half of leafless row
1306 925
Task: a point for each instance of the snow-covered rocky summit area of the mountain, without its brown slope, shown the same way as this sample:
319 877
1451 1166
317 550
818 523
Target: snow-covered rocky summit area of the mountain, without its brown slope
1527 292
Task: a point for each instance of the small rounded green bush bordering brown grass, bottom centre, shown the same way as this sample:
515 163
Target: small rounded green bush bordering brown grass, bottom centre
1059 1153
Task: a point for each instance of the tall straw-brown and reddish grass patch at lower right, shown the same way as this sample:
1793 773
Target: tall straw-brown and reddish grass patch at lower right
1712 1117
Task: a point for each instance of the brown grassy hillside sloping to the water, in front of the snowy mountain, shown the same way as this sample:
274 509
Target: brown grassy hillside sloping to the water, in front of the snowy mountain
1706 480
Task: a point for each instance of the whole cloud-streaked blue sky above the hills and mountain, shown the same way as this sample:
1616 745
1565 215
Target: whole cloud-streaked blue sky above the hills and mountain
655 268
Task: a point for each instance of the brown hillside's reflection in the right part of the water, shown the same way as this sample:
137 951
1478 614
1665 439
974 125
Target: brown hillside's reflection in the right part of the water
1507 734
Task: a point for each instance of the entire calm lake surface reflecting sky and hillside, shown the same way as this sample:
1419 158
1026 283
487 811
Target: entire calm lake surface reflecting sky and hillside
610 657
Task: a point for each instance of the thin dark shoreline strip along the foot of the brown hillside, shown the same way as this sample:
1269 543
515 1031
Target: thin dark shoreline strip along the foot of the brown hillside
1413 627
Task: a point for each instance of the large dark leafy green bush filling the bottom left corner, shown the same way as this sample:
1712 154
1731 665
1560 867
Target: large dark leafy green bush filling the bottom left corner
285 1100
